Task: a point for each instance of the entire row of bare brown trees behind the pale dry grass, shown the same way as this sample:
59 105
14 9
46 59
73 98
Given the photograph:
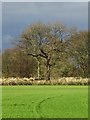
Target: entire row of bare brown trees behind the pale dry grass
46 51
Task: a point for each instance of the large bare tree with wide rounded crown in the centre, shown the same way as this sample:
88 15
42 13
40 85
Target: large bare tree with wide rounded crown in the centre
45 42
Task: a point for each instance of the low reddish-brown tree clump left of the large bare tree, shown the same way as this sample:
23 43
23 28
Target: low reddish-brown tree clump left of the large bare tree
17 64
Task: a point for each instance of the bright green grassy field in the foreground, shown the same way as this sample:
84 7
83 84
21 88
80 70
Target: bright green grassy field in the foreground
45 102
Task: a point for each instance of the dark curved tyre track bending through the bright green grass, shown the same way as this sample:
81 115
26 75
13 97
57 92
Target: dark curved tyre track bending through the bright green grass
38 106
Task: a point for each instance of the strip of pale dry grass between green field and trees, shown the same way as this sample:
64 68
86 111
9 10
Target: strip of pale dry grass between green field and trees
60 81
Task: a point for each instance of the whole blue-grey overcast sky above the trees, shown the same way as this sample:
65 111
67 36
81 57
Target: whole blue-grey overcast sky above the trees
18 15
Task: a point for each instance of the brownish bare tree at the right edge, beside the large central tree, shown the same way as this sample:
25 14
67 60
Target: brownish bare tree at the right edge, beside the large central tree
79 52
